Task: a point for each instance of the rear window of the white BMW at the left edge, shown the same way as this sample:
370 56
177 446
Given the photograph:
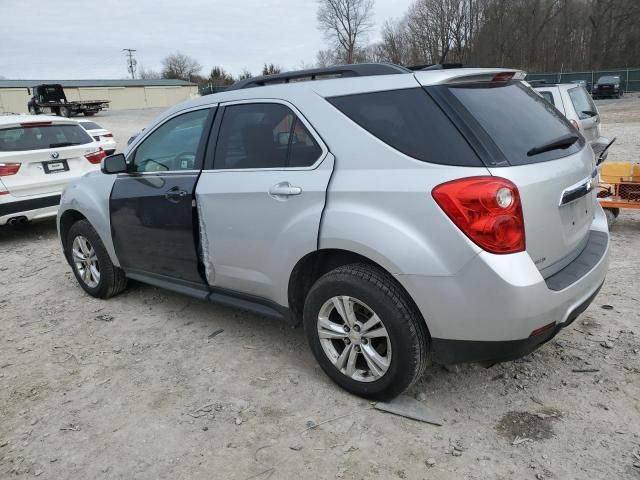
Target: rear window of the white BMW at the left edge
42 137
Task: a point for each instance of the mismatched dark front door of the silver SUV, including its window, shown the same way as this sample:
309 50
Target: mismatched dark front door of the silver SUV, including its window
152 207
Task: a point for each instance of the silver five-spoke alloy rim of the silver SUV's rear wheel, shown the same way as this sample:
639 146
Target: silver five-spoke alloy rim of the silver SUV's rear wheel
354 338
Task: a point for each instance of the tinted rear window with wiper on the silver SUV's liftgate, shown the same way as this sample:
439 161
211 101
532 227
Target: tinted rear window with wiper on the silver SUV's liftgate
517 119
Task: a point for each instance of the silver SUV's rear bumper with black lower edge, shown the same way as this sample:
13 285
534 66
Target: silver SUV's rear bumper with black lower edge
496 301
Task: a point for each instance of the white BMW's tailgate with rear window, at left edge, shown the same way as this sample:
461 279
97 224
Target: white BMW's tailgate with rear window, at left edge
49 155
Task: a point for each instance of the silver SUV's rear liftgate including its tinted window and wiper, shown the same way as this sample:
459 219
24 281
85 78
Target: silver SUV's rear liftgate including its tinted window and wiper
556 186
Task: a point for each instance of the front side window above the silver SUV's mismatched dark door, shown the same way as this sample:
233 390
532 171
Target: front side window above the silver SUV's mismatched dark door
173 146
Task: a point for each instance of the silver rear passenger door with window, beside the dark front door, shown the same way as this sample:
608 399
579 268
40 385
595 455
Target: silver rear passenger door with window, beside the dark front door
261 197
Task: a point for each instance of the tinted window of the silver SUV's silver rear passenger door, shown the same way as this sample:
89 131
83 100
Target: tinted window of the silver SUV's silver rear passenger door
263 135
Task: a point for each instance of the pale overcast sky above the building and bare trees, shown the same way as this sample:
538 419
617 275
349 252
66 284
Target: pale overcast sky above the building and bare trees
76 39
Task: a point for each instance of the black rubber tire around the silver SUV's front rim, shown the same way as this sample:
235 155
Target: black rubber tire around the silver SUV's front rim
112 280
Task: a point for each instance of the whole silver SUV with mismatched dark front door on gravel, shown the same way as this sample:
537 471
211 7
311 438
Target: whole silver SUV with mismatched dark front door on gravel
399 216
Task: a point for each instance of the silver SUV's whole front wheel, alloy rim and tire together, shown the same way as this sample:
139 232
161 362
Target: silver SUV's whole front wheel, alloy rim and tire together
91 264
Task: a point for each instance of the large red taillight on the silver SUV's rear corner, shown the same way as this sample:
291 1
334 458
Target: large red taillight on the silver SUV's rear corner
487 210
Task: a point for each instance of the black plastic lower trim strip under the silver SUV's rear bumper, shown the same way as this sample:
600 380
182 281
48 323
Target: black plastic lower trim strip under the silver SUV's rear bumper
448 352
